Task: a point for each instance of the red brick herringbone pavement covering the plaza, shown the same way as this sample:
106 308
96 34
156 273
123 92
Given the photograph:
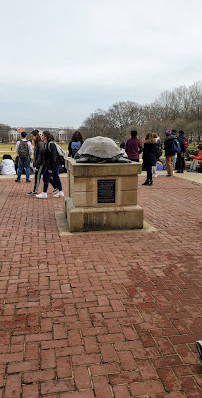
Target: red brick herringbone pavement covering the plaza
101 315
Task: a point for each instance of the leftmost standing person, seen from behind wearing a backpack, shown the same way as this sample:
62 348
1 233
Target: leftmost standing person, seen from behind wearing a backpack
24 151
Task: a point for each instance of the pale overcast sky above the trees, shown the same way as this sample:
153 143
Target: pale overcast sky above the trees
63 59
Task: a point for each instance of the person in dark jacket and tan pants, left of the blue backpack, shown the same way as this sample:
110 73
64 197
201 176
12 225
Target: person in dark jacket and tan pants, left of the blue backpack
170 151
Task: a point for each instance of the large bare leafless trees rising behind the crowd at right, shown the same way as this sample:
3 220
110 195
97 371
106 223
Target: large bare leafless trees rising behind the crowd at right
178 109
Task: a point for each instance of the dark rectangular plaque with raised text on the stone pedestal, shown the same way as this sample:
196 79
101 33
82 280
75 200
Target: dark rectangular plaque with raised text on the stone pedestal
106 191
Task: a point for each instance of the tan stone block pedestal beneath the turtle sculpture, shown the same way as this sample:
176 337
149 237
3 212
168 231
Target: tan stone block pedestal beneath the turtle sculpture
102 196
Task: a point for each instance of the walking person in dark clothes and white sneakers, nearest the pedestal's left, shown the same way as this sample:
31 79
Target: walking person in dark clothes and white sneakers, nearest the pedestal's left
51 161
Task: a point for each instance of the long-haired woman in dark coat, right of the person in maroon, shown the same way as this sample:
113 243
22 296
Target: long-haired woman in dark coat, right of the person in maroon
150 154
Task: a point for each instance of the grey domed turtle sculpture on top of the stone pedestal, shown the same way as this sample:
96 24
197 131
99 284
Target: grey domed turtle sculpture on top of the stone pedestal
101 147
